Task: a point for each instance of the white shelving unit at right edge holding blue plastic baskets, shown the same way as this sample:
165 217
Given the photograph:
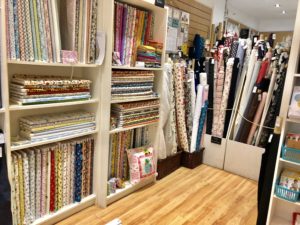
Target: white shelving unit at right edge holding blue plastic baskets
280 211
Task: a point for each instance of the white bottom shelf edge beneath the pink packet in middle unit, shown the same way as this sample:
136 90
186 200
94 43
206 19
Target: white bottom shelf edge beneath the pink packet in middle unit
130 188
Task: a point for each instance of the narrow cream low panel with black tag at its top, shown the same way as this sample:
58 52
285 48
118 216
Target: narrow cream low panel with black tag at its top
214 154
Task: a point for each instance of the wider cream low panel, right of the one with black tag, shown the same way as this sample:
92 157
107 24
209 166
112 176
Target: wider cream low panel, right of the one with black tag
243 159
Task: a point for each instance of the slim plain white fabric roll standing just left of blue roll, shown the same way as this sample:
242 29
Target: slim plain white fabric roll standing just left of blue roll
196 117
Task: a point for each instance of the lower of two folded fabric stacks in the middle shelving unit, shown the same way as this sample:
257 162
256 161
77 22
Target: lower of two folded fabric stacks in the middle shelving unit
136 113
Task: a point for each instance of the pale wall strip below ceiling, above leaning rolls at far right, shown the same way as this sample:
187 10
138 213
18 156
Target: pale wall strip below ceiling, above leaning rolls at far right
276 25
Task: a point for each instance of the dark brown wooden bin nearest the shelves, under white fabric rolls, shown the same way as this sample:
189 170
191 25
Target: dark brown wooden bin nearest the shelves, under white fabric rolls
168 165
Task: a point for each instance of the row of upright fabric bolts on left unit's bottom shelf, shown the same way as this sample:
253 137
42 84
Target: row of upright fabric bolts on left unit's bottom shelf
48 178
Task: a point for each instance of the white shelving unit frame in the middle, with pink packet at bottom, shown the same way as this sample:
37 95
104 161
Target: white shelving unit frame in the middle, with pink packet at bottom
160 29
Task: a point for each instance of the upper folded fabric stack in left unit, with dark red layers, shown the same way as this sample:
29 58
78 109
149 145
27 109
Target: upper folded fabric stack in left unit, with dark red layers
39 89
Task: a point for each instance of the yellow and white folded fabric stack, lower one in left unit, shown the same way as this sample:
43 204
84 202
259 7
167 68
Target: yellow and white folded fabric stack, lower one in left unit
50 126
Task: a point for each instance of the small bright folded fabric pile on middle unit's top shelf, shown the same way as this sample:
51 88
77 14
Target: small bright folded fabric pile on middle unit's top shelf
148 55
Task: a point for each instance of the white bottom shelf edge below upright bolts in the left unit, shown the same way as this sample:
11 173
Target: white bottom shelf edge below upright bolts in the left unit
66 211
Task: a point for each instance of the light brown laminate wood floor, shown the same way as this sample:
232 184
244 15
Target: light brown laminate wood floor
203 196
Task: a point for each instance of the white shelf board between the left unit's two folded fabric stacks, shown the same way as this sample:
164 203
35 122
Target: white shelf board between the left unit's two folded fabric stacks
61 104
